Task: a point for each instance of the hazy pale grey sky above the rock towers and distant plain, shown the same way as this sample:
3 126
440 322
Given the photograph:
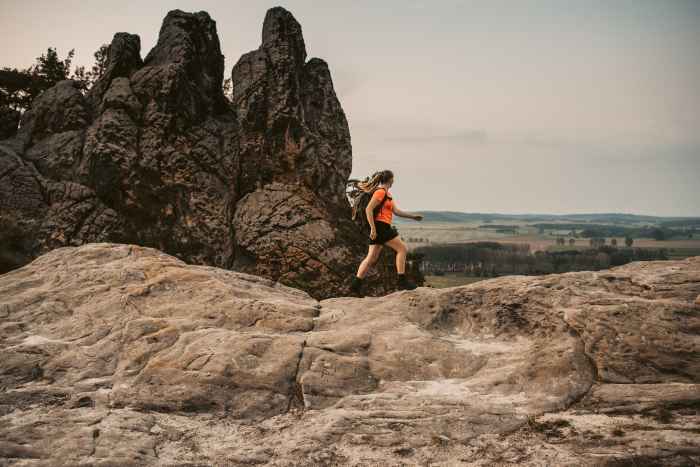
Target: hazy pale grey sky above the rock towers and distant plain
511 106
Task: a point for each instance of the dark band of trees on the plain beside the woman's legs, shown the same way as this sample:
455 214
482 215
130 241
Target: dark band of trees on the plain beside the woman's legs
488 259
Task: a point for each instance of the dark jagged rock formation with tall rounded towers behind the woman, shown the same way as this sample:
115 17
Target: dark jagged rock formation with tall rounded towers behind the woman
155 155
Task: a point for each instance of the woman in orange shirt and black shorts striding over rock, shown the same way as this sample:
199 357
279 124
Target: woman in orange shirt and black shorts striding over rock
381 230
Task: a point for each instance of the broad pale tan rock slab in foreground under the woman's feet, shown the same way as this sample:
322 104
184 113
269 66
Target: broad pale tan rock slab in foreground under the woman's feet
119 354
